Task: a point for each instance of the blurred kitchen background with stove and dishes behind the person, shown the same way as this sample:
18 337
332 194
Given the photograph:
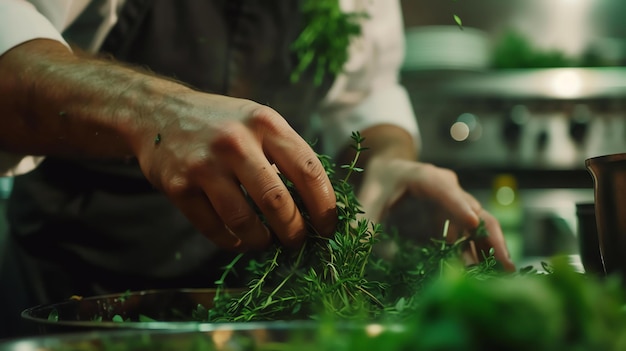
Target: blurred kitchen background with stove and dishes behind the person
514 101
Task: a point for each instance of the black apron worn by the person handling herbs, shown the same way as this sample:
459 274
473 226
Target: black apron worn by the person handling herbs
95 227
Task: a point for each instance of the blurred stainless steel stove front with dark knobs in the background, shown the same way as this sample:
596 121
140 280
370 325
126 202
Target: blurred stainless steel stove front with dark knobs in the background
545 119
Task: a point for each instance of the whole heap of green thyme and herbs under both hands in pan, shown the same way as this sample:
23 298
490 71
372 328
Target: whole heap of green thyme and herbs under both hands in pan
340 276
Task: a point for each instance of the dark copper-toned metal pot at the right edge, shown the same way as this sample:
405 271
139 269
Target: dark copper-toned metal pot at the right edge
609 175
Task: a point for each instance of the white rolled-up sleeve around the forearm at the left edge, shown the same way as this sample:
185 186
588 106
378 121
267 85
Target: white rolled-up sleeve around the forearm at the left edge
20 22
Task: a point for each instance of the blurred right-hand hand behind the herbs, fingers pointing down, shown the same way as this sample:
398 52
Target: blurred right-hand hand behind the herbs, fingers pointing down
387 180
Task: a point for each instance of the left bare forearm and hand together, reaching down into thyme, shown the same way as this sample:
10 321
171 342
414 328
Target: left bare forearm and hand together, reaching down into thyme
201 150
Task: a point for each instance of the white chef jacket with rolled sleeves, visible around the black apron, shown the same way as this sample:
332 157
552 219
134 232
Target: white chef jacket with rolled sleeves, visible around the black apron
365 94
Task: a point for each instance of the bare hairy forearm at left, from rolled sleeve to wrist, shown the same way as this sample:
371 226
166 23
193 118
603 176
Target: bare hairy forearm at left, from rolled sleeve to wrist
53 102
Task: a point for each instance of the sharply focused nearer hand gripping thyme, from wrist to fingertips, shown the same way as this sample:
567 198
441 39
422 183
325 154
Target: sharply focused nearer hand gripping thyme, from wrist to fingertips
209 147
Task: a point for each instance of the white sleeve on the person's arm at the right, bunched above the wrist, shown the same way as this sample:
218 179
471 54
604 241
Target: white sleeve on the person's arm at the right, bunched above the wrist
368 92
